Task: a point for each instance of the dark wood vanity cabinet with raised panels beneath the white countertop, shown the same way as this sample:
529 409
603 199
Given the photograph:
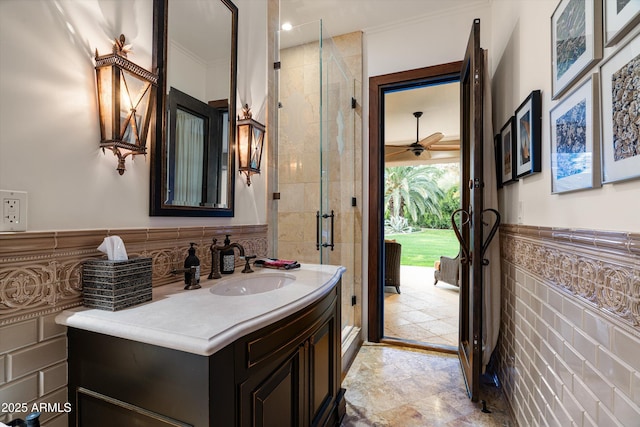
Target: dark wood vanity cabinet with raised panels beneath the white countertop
285 374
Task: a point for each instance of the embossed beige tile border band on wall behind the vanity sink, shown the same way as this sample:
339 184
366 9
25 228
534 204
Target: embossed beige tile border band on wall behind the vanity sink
41 272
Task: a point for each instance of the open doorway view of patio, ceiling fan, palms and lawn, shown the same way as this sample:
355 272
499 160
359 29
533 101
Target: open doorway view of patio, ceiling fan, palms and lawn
422 190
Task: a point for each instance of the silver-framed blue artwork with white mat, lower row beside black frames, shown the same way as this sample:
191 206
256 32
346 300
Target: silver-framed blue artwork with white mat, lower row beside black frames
574 140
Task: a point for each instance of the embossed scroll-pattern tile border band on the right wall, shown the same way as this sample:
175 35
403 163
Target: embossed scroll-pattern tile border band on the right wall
600 268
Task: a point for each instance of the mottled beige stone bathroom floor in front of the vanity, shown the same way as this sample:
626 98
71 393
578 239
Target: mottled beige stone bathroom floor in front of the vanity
389 386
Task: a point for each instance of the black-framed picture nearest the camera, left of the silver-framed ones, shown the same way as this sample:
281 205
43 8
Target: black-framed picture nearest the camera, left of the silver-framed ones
527 126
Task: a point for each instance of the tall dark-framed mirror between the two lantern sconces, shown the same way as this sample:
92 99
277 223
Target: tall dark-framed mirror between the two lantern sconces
195 53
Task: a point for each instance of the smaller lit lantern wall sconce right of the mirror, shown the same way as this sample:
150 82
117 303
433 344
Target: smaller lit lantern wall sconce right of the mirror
250 143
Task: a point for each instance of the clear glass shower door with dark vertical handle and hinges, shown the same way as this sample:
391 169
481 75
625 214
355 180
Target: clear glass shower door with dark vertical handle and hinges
338 194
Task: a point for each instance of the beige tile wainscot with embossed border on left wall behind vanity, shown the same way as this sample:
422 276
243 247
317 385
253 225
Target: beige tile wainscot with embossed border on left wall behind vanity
41 275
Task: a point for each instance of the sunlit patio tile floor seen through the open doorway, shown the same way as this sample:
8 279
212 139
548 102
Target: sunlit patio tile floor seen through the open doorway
422 312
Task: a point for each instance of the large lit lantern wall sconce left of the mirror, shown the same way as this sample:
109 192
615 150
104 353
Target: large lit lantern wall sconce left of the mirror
126 94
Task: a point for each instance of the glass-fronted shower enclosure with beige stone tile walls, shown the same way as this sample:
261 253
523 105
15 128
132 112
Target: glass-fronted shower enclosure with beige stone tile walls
319 161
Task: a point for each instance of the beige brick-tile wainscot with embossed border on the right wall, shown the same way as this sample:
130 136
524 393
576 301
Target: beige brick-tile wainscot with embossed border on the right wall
569 350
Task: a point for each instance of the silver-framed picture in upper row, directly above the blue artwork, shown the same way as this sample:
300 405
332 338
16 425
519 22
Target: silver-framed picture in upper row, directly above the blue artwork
576 41
